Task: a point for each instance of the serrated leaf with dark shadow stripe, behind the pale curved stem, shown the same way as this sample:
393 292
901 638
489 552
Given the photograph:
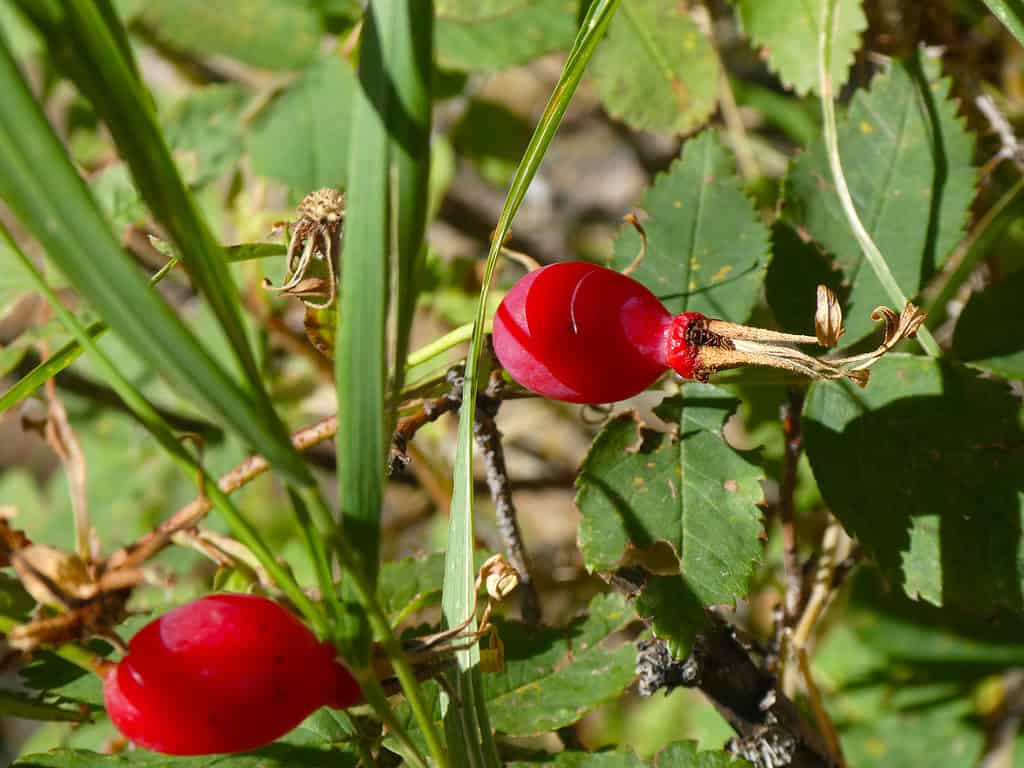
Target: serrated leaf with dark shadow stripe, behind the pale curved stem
909 164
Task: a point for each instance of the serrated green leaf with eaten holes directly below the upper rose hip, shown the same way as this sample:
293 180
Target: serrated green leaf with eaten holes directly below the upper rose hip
691 490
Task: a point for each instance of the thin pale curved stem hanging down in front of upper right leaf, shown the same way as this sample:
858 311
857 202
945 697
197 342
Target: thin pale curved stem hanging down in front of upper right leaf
871 251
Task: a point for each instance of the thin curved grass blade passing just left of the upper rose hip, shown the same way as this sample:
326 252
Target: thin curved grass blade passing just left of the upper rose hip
468 720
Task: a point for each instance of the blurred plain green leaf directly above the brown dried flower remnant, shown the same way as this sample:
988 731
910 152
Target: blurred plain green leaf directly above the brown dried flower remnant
303 137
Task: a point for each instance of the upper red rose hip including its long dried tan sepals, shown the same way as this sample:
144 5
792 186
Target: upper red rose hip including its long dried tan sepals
583 333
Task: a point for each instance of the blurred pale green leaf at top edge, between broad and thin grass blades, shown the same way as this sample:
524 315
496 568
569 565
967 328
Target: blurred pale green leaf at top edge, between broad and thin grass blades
499 34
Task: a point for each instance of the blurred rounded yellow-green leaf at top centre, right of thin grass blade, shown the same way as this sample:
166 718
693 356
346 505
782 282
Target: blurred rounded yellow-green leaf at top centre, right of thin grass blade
657 70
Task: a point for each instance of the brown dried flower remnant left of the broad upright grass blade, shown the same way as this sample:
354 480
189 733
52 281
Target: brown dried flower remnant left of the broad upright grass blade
316 240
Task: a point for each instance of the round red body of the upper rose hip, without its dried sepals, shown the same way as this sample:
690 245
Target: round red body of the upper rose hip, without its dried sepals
582 333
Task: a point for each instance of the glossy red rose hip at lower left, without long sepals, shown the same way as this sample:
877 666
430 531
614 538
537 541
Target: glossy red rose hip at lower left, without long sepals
226 673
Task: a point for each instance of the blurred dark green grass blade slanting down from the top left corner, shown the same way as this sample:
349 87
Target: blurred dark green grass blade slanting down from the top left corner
88 39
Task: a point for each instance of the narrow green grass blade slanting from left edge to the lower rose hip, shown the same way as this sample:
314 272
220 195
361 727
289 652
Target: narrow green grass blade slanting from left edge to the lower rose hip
155 424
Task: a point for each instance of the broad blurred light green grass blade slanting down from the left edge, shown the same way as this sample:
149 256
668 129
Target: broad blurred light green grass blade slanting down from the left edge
45 191
